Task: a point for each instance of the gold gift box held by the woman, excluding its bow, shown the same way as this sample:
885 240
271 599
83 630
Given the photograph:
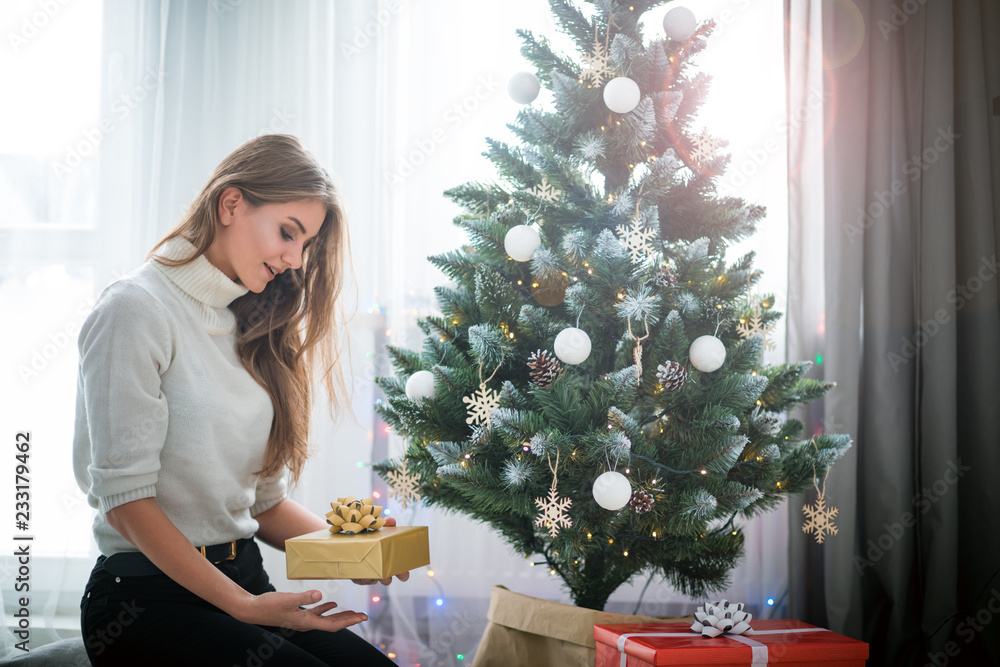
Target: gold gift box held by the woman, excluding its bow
376 555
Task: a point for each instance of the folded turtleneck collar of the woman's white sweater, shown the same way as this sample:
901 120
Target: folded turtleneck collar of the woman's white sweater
207 290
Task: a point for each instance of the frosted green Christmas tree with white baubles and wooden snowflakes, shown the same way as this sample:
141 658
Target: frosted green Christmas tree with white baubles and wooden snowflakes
594 389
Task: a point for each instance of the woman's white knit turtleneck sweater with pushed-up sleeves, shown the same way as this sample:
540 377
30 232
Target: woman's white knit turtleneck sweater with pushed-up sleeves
165 409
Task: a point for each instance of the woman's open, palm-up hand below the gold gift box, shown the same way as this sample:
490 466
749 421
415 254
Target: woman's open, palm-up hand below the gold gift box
284 610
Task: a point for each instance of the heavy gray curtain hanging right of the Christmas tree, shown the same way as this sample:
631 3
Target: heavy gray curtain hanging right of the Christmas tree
894 193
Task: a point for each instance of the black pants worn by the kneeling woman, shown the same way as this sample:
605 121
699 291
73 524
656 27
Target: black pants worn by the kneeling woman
150 620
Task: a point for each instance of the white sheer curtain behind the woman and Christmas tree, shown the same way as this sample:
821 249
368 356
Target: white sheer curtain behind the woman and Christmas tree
396 98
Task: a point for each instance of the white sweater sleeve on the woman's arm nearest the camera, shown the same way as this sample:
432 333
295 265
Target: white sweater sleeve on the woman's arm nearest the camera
124 349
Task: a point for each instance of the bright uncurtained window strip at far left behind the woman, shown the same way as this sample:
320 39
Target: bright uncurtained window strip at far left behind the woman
49 249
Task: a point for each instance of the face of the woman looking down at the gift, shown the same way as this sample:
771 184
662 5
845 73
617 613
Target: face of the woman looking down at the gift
255 244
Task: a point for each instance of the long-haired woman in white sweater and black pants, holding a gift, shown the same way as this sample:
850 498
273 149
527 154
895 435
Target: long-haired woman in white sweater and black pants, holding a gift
193 407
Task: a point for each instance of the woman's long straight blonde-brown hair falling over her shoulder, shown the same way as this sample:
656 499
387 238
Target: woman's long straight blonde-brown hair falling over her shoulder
289 331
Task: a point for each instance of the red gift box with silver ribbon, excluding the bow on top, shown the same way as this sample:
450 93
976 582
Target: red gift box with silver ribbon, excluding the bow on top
778 642
